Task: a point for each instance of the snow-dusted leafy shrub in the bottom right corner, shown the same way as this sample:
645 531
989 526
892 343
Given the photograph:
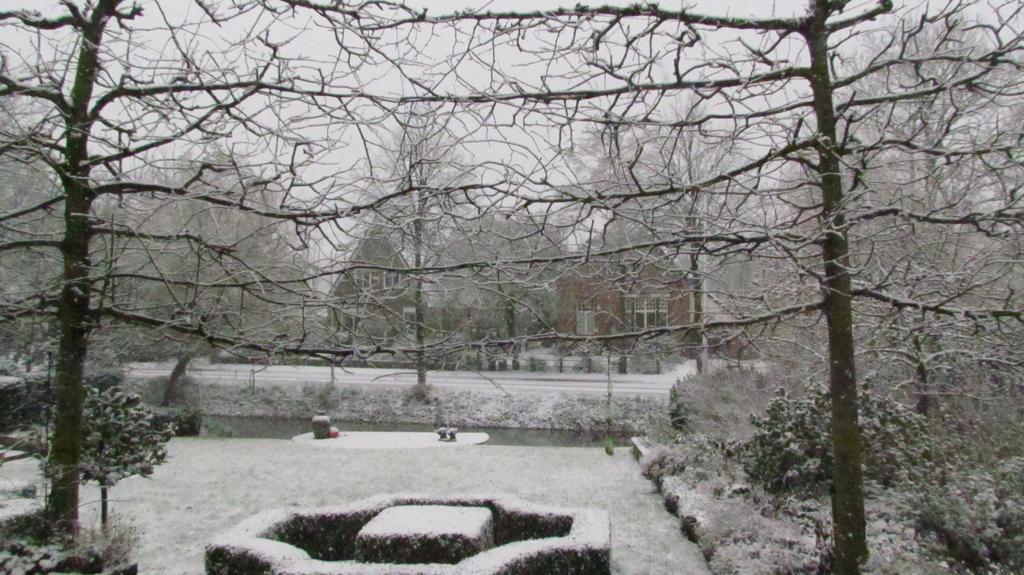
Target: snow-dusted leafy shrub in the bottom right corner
978 515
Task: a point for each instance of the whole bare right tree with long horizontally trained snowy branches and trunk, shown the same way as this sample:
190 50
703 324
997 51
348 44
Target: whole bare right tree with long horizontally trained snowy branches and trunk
785 90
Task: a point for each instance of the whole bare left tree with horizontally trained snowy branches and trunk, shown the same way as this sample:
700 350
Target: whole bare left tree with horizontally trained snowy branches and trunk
104 113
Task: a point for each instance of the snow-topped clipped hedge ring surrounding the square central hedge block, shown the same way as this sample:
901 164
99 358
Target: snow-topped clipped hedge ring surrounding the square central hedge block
528 539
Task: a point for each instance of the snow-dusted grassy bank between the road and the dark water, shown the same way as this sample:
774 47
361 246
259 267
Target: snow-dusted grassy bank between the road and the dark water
404 405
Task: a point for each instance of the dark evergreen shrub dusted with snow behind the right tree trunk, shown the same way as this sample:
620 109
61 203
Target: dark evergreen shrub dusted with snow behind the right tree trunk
791 450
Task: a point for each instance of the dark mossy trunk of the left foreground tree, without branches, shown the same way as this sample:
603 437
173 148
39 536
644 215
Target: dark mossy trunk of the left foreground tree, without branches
73 307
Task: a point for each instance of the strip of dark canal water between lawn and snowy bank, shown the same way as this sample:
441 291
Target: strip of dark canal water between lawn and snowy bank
287 428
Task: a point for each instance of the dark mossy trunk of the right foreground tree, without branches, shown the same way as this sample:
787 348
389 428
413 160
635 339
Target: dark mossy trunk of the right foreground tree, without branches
848 498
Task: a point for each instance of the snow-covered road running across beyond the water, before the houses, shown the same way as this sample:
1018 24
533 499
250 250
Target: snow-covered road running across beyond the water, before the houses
511 382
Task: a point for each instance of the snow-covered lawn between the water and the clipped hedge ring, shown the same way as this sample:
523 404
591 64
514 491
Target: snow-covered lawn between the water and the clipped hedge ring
209 485
